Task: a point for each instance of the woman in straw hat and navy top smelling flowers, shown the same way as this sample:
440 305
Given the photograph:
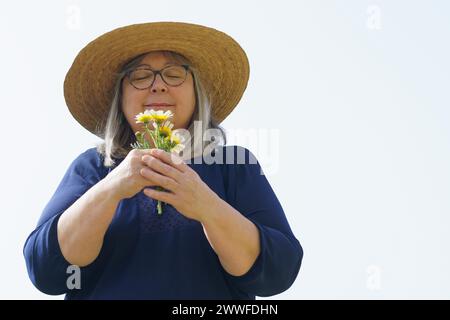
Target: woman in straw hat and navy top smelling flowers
223 233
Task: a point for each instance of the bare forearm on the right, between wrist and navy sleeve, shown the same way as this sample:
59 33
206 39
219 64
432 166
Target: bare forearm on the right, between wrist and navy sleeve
233 237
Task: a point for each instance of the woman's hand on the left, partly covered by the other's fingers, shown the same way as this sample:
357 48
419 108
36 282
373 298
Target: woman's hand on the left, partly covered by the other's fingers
126 179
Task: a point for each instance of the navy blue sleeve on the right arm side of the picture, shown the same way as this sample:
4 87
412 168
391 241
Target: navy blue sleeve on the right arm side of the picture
249 192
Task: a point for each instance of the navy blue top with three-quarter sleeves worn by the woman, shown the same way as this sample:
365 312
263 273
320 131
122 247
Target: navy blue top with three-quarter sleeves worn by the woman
146 256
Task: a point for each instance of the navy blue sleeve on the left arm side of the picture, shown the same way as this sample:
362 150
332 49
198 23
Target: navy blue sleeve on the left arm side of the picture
46 266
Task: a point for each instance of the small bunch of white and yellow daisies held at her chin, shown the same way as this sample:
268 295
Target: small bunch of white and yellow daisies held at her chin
162 135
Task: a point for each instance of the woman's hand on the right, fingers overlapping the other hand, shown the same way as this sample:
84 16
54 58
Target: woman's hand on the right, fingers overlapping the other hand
188 193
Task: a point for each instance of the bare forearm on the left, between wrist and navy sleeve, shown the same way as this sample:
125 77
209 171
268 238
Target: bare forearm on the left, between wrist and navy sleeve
81 228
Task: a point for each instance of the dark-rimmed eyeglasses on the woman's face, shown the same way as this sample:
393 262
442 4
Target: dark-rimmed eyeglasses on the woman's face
143 76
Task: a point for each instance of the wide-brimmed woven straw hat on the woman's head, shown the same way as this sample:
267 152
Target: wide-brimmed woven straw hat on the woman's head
223 66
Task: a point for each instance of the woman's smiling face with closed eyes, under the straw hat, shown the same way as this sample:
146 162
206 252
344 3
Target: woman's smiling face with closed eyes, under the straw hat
180 98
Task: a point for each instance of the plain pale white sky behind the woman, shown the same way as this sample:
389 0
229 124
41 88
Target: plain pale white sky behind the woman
359 96
